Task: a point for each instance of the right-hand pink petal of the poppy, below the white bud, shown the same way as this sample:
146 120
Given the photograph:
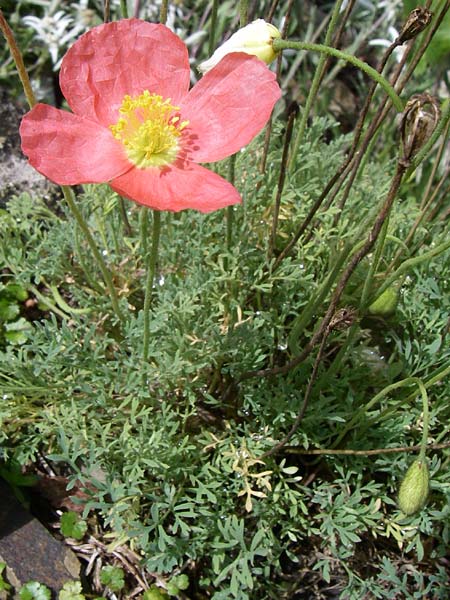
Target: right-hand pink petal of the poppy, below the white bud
229 106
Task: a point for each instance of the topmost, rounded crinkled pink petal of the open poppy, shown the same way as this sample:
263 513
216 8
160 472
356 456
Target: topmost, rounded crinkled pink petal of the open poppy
119 58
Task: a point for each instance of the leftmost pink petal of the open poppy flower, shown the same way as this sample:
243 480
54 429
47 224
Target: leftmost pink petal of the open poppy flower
69 149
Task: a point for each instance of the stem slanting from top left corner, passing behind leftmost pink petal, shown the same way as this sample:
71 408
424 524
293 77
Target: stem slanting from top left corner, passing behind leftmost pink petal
68 193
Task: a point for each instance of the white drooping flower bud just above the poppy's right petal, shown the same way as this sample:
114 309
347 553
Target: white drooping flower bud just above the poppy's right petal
255 39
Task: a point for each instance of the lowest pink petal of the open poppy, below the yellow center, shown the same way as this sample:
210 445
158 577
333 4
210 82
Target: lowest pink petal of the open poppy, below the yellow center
177 188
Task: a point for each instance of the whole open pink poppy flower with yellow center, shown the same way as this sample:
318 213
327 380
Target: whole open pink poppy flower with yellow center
136 125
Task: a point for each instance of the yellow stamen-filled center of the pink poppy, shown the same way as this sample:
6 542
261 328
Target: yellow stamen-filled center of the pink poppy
150 129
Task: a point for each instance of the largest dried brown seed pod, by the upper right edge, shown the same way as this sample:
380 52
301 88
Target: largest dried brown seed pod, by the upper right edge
419 119
